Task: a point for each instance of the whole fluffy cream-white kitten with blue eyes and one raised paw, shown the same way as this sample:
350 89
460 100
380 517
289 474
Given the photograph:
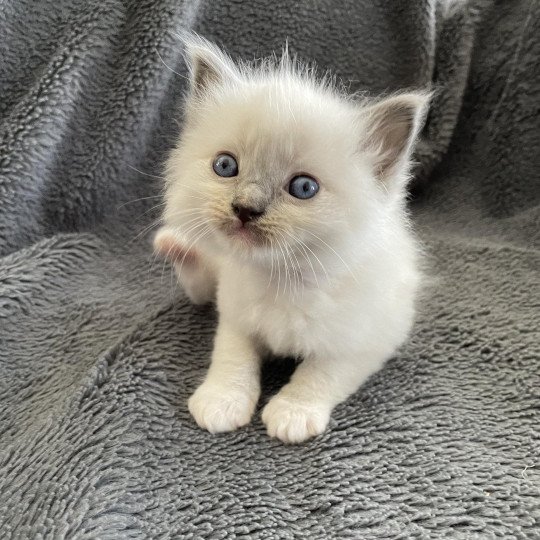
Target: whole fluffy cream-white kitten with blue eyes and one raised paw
285 202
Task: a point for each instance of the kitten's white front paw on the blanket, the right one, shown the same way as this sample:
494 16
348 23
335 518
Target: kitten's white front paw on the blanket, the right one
294 421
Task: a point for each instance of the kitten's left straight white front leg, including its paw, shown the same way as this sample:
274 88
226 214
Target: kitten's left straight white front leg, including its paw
227 398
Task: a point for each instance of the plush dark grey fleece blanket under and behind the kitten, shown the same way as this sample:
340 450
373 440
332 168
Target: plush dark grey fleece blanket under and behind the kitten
99 350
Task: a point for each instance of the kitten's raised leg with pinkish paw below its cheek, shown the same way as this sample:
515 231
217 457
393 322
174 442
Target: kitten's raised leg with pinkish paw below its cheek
195 273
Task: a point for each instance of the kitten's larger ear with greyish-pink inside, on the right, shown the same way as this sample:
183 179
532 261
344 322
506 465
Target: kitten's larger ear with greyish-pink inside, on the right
389 129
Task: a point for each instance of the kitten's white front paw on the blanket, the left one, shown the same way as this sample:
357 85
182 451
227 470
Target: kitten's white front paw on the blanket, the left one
220 408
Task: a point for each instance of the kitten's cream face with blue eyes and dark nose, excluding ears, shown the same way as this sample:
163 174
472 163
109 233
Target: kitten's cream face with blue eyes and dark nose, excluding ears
264 174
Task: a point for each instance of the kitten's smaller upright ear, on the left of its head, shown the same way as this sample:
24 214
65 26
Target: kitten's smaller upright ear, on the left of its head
208 65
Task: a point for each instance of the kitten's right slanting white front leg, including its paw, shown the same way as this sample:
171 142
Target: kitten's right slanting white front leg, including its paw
302 408
